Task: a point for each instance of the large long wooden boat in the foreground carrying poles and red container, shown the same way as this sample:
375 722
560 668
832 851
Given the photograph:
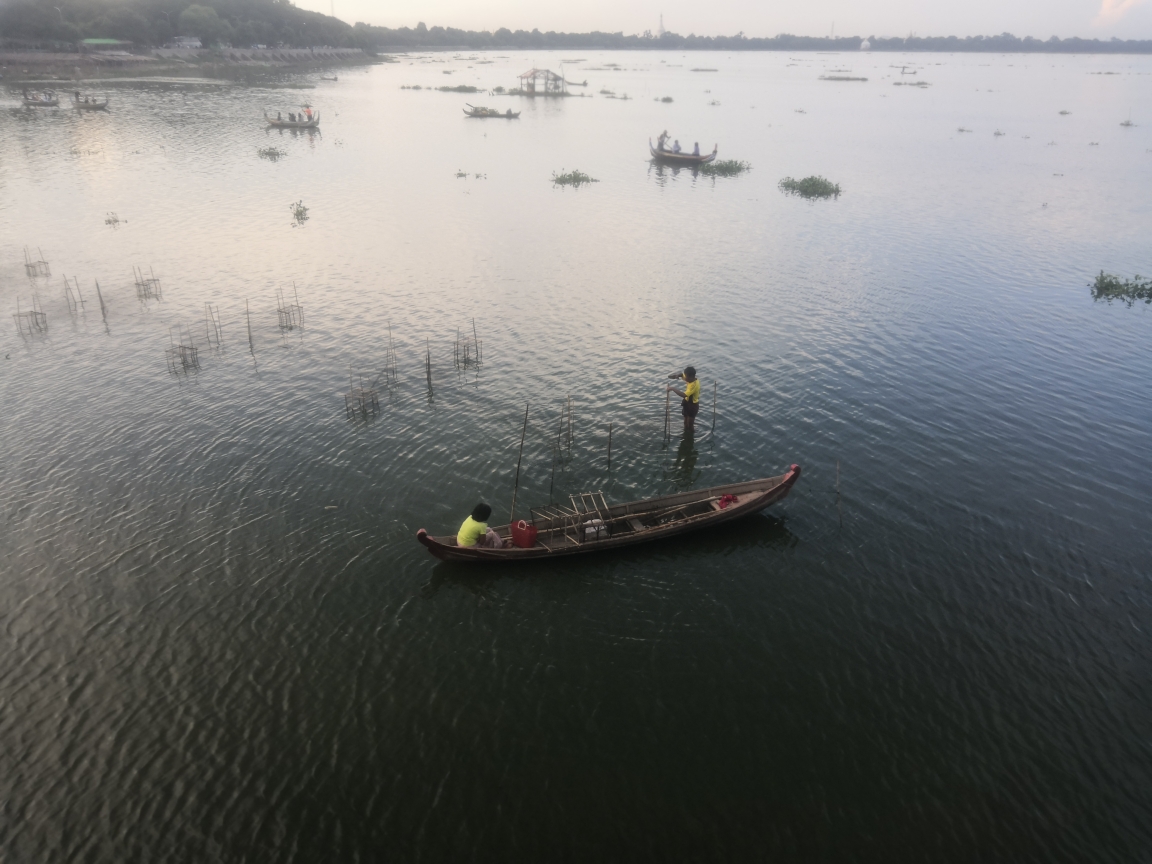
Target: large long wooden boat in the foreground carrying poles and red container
593 526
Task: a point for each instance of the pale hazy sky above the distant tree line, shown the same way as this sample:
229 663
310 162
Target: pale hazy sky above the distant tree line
1041 19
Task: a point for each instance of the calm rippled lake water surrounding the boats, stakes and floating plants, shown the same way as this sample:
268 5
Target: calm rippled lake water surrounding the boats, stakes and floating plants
222 641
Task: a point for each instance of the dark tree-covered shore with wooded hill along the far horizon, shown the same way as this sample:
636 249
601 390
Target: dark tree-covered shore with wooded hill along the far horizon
279 22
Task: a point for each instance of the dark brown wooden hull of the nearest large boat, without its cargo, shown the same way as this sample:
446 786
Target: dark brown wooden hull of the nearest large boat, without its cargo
754 497
